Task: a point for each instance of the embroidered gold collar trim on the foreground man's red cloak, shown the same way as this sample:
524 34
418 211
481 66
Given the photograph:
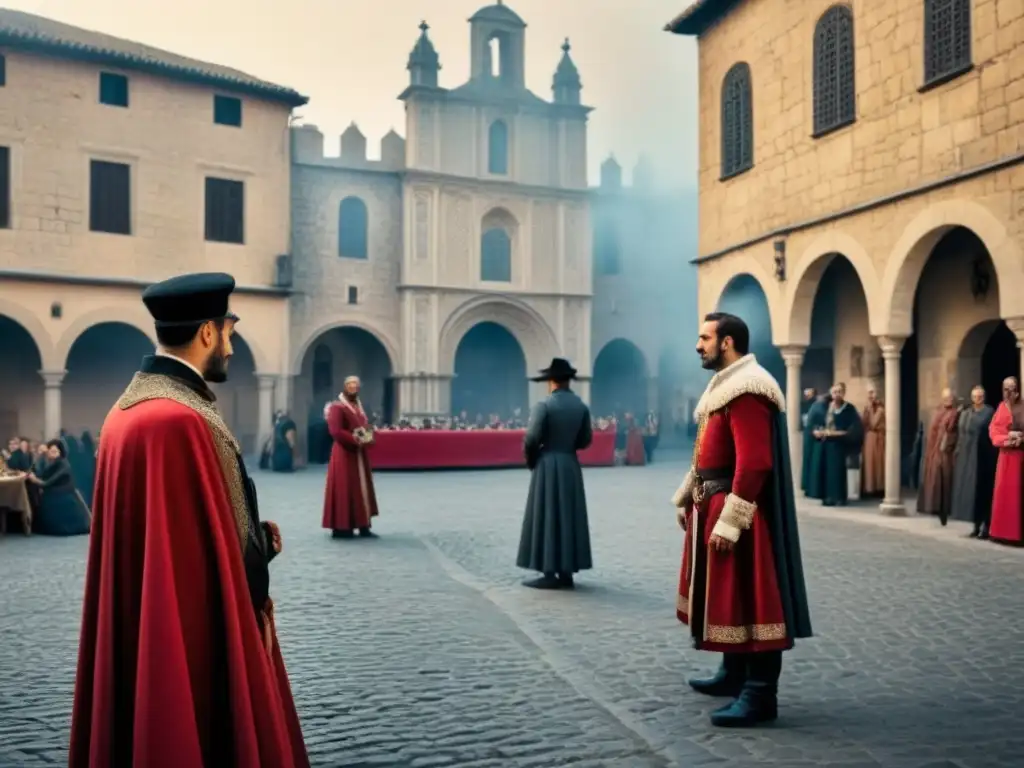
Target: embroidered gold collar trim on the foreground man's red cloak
155 388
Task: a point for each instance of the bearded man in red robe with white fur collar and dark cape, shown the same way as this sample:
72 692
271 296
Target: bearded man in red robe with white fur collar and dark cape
742 586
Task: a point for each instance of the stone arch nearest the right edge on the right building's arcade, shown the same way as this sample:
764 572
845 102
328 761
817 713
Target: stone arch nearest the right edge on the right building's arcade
913 250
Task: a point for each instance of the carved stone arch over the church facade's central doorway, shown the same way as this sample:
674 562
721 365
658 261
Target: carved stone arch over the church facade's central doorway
537 339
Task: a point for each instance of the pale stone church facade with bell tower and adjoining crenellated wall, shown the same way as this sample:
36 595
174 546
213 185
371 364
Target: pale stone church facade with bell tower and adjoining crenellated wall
462 255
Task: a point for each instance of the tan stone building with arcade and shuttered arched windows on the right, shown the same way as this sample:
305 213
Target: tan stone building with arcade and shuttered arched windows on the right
863 164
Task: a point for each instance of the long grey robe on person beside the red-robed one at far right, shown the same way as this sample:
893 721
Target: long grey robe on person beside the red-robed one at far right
974 474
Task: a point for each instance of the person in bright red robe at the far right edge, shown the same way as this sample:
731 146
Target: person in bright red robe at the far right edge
1007 434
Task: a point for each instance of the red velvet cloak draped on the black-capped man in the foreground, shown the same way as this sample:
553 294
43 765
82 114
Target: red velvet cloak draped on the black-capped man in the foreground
173 667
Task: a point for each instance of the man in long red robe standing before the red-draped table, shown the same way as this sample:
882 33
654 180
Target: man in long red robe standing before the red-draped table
350 501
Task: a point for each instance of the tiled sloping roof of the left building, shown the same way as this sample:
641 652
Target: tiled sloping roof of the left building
46 36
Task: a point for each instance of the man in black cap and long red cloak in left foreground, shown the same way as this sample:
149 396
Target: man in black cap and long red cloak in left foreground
179 662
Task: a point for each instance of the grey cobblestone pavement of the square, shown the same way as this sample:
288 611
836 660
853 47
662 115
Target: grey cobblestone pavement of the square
421 650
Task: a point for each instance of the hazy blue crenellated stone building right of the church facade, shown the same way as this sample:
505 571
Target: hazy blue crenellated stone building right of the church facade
645 315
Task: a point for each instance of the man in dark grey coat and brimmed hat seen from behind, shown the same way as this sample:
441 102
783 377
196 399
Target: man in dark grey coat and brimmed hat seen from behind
556 537
